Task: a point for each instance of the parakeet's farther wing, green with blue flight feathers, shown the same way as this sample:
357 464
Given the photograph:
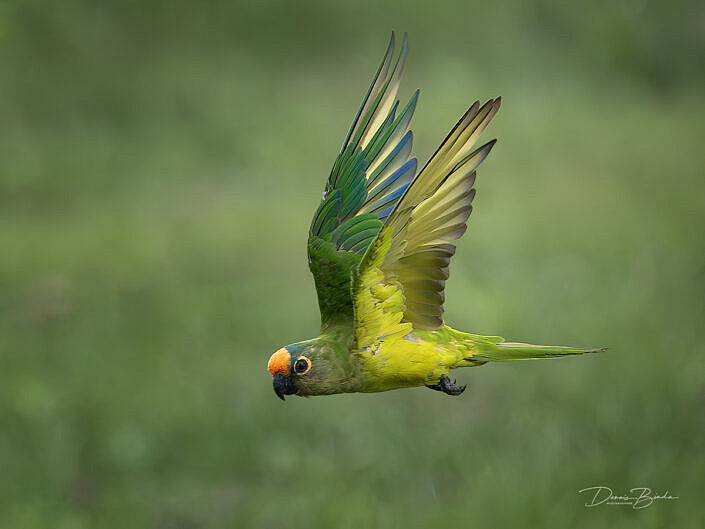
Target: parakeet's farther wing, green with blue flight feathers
371 173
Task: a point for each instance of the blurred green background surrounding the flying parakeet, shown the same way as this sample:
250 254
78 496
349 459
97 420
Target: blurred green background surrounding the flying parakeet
159 166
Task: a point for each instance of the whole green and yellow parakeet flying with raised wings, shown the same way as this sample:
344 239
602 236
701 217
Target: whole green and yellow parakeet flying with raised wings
379 247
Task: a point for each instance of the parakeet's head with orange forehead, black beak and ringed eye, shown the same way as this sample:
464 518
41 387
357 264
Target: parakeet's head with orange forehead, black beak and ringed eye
306 368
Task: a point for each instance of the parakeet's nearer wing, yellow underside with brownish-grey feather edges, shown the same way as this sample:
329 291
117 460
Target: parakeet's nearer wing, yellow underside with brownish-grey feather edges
400 282
